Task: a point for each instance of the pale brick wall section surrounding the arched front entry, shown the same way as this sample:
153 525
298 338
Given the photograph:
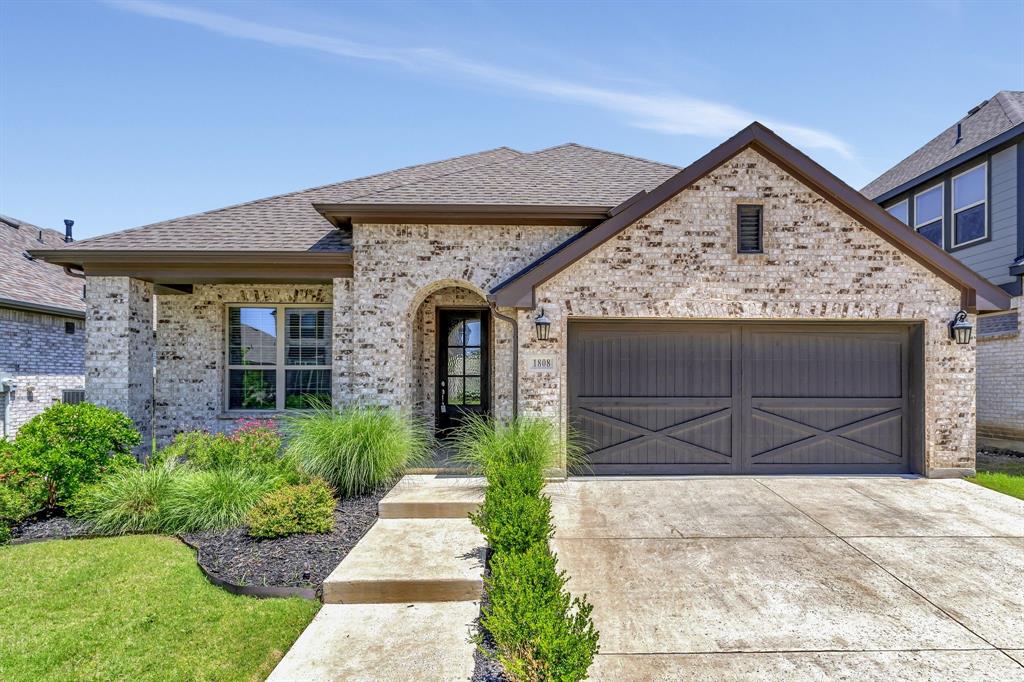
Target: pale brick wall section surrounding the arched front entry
399 267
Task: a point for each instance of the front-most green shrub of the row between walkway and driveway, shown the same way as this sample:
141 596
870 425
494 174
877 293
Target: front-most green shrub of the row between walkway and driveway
541 631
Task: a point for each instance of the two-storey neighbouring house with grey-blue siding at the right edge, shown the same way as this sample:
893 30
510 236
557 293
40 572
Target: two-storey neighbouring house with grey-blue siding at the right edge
965 191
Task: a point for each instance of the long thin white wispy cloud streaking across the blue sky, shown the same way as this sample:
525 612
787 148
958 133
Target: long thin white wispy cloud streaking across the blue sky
670 114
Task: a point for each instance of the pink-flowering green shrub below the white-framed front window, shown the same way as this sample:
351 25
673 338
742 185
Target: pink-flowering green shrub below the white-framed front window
255 446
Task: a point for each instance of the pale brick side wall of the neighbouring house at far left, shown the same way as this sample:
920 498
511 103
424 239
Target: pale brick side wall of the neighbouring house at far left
44 360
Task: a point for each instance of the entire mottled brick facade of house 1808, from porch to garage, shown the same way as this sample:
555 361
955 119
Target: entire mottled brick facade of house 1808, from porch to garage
679 263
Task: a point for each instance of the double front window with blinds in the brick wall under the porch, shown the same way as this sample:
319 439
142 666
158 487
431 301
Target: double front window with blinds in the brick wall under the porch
311 336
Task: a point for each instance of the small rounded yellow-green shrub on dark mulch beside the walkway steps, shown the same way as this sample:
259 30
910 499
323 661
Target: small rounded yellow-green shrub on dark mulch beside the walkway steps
294 509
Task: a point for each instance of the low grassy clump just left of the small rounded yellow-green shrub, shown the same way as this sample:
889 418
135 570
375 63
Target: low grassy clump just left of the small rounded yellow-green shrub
220 499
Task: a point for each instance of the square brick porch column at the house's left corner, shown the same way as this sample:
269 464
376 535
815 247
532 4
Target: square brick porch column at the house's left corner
119 344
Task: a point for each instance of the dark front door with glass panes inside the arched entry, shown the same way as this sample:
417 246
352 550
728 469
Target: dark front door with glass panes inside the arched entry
462 367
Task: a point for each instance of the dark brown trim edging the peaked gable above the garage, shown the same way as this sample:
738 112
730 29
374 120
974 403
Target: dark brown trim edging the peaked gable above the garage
976 291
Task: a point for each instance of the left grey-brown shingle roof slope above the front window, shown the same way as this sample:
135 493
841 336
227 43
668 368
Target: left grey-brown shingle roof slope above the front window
285 223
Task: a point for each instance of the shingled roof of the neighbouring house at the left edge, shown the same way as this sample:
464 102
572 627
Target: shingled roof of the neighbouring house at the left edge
31 284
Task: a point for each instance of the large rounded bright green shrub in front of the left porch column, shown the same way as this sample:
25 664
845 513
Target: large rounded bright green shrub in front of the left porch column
73 445
